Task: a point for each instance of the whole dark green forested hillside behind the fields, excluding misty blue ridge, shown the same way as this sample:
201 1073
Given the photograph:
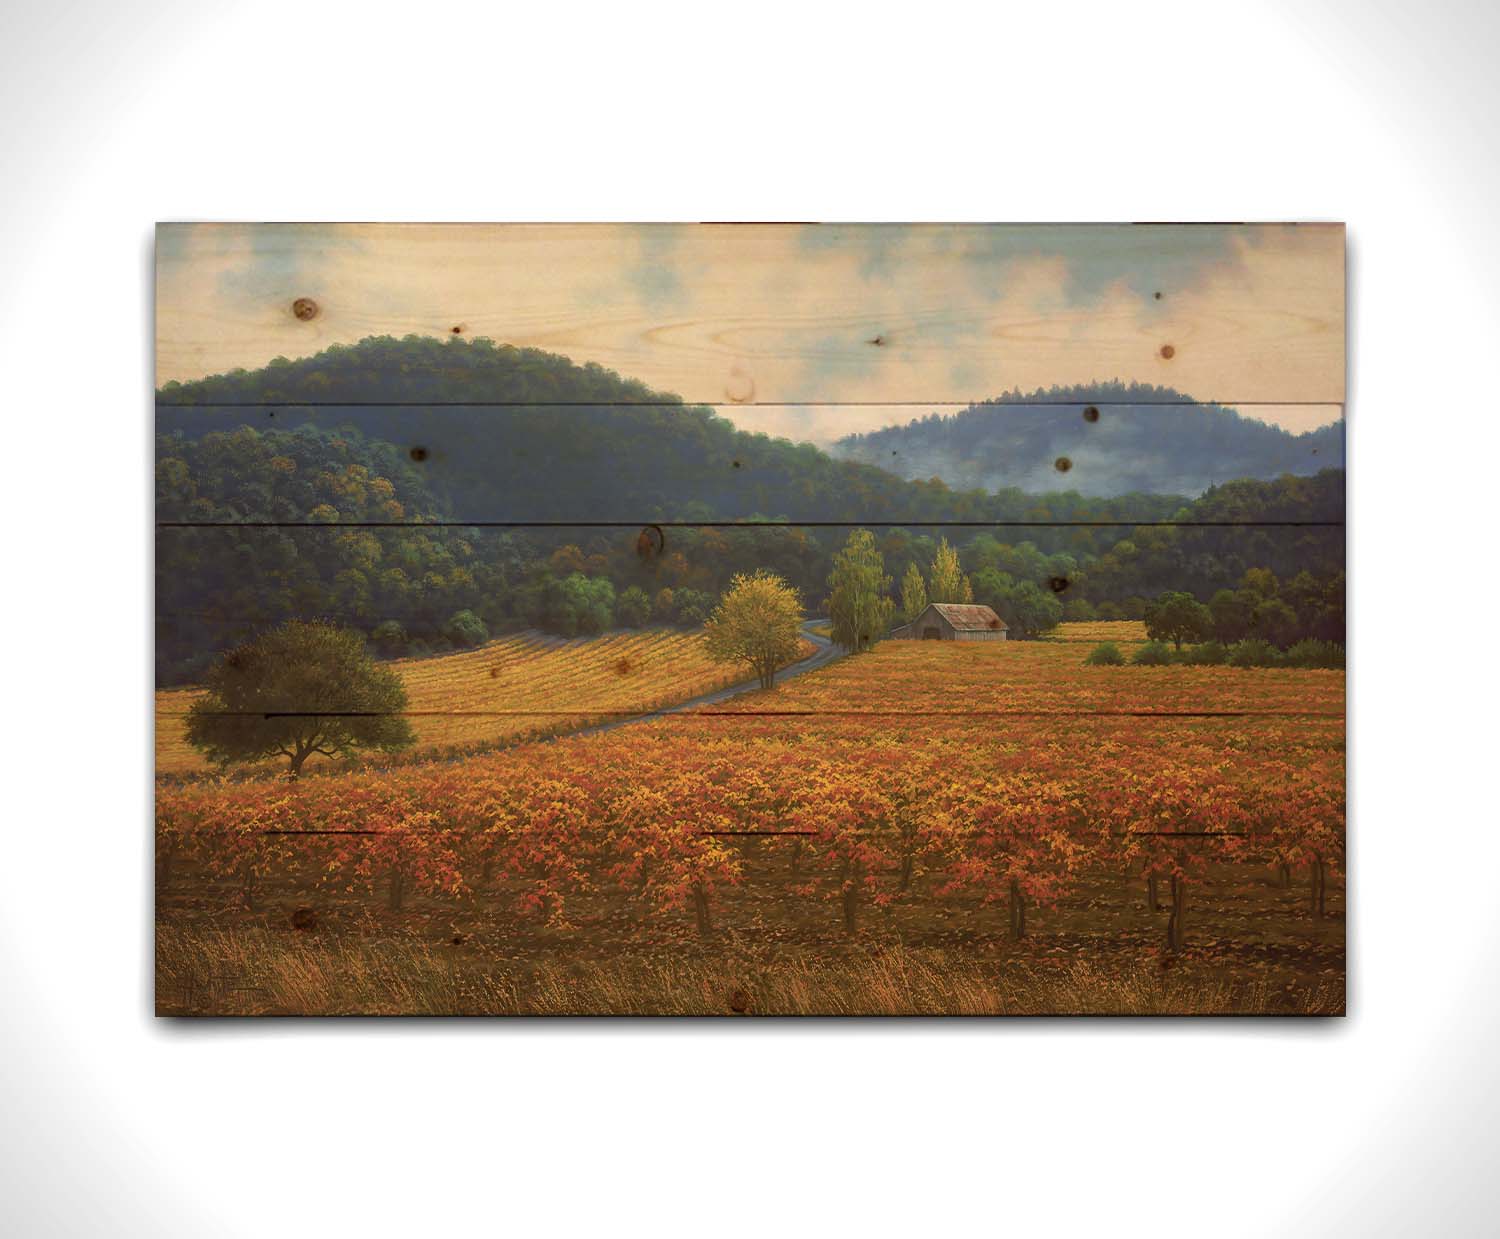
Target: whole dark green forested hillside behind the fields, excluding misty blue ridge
350 512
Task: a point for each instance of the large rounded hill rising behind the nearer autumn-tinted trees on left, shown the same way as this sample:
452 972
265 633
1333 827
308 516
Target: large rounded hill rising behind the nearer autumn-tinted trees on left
518 434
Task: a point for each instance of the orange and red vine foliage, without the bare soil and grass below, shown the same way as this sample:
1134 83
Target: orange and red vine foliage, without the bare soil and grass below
886 769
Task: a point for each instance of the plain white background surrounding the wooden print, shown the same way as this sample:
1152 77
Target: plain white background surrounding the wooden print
118 115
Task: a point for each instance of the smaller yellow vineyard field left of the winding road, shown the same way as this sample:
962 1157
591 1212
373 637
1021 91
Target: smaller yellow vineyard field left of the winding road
521 686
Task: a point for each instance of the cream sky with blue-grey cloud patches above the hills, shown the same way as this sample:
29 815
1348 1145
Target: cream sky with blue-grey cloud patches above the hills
800 331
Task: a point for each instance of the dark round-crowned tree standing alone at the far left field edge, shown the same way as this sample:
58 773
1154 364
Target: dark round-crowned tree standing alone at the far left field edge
296 691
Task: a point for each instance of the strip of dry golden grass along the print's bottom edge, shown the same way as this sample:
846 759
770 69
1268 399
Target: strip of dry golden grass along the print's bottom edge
257 973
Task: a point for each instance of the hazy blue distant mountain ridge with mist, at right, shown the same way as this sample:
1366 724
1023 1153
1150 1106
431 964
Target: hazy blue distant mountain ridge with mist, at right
1145 439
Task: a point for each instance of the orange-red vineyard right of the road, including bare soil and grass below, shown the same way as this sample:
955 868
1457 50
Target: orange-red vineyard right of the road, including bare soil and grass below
928 827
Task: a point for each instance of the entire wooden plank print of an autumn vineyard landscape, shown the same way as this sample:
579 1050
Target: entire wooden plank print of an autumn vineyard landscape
751 620
